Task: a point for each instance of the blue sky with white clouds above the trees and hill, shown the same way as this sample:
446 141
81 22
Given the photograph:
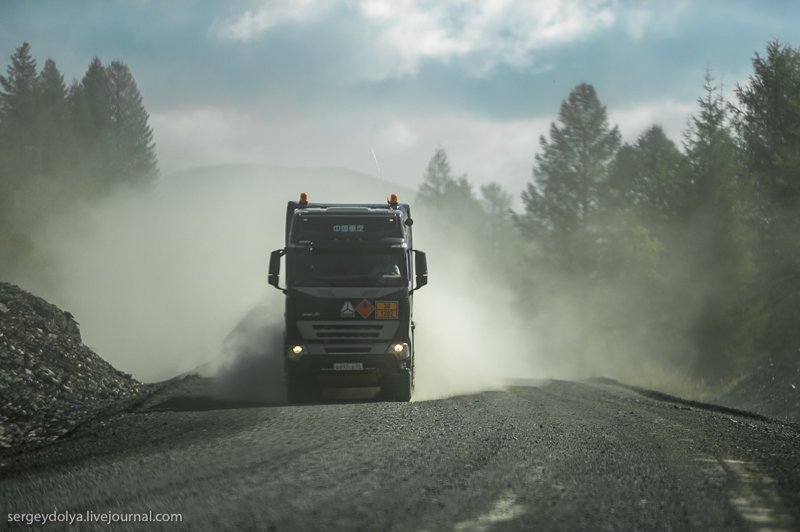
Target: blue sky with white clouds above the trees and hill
378 85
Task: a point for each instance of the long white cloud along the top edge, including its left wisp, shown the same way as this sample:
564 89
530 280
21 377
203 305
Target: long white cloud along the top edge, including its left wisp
402 34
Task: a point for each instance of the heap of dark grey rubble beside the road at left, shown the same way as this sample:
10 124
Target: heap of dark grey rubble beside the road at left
49 381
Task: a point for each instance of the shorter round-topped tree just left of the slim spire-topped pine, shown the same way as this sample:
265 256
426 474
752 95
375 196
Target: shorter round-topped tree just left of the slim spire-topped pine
648 201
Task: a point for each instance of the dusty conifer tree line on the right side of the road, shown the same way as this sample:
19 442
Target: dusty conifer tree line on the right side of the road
694 248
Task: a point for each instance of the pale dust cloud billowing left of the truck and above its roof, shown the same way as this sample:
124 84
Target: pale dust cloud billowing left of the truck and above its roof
174 281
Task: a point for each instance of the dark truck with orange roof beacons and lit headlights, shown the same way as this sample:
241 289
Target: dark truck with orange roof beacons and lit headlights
351 271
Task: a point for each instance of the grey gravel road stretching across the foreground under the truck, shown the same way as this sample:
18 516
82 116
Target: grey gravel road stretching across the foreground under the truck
561 455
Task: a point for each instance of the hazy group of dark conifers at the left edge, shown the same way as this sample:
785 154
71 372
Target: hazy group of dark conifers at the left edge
62 146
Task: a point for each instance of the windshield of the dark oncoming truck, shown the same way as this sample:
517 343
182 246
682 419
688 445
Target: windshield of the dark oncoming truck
351 267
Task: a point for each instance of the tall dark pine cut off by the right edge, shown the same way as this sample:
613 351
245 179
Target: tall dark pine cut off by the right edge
768 122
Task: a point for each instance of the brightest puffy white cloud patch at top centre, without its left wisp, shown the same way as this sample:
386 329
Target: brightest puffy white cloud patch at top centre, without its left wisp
493 31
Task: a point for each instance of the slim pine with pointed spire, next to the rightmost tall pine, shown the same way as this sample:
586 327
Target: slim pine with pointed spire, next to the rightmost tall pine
718 242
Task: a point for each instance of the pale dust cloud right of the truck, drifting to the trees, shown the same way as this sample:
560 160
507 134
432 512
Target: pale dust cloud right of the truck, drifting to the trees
480 329
